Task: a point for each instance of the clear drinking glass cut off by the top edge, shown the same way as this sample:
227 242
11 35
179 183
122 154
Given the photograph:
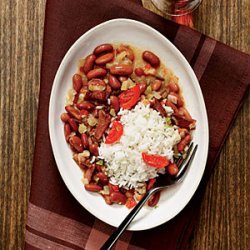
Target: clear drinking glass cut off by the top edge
176 7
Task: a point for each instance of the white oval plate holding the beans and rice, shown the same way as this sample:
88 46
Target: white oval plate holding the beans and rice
175 198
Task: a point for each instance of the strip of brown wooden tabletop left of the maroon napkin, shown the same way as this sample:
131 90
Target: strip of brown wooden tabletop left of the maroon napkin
21 31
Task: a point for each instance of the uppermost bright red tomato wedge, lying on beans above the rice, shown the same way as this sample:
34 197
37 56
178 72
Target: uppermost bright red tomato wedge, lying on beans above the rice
130 97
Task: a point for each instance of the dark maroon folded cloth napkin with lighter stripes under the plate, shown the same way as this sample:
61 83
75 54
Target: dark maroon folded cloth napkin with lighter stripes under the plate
55 219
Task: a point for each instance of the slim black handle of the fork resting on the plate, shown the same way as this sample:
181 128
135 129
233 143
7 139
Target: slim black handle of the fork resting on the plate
116 234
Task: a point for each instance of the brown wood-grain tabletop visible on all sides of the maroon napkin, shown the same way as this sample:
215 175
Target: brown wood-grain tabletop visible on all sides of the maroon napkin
225 214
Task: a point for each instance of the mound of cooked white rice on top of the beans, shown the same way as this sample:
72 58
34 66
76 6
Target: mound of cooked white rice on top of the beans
144 131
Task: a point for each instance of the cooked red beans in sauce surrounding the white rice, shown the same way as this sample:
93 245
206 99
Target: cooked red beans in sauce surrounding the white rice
106 81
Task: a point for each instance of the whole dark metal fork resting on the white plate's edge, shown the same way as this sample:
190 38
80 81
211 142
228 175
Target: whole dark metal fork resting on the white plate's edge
163 181
